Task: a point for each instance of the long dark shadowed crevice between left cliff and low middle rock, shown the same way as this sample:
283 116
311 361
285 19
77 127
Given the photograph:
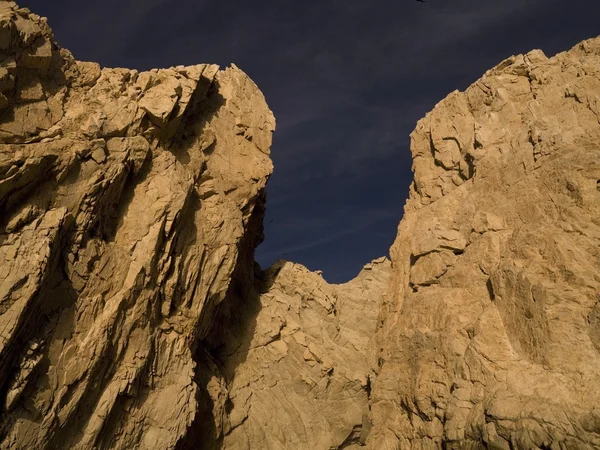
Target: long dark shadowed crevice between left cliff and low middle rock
229 340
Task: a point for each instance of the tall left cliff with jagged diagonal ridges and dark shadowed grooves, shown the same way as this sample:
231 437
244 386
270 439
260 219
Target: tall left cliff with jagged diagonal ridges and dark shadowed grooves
127 202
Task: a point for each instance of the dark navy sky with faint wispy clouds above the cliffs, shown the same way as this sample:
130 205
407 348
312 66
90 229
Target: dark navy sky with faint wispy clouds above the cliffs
347 81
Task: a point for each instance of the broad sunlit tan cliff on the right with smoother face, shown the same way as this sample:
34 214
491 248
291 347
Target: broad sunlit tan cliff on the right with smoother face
491 325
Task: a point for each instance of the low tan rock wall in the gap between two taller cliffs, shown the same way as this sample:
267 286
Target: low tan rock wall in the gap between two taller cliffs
298 365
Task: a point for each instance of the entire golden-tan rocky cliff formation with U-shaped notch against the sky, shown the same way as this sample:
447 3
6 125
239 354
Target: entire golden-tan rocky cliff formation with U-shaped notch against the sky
133 315
